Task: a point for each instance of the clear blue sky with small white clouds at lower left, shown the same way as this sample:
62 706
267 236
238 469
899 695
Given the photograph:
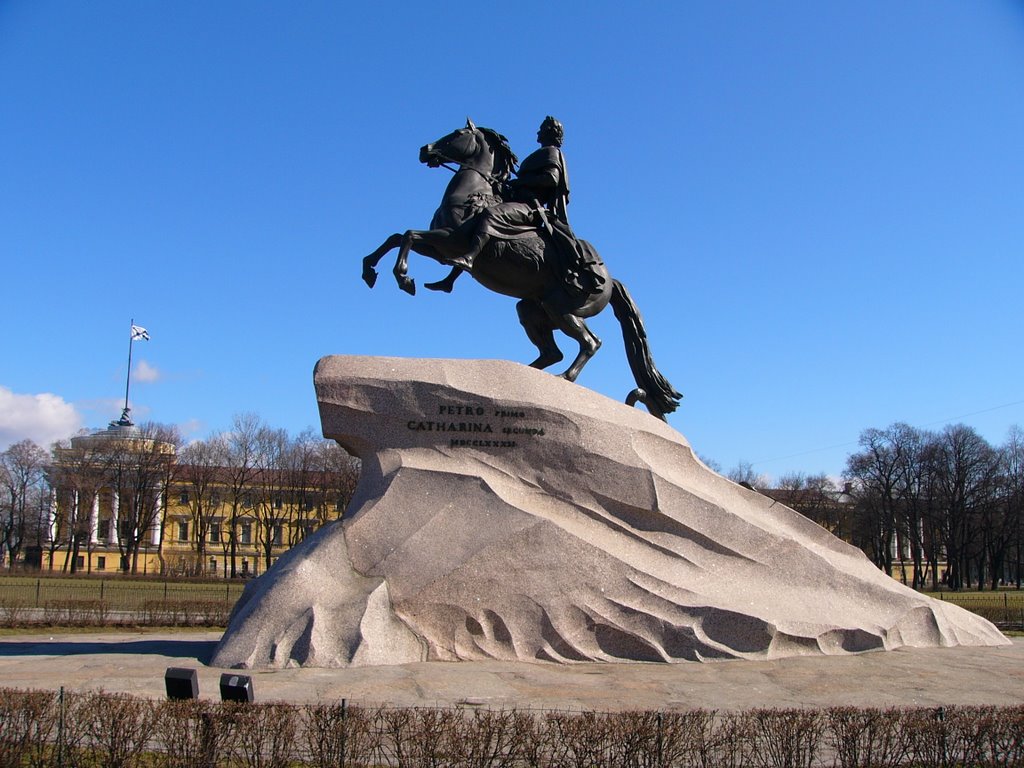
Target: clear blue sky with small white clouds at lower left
817 206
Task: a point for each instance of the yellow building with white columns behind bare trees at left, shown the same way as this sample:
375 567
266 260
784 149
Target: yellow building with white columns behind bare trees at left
122 502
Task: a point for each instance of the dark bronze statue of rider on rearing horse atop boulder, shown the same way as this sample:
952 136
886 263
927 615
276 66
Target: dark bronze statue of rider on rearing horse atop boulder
514 237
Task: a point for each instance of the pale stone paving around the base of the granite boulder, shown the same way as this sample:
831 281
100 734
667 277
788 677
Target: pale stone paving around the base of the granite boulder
135 663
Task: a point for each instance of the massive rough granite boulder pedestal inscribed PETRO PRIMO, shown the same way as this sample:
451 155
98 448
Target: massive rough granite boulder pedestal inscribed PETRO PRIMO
503 514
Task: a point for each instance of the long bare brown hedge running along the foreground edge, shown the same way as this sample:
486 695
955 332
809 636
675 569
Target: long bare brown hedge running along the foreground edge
39 729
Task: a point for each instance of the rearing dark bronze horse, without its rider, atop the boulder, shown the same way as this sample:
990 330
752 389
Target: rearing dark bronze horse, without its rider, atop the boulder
523 269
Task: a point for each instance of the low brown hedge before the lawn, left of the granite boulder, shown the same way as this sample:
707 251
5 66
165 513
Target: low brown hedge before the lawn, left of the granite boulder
81 613
